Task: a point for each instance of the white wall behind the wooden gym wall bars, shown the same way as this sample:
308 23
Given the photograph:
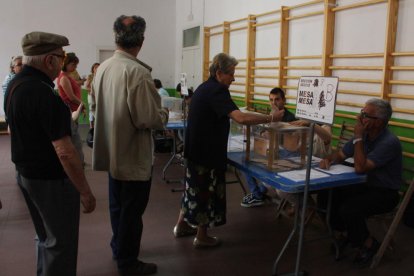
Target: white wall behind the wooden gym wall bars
359 30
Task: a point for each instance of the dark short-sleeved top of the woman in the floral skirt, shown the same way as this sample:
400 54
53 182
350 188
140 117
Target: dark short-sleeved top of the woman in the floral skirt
209 125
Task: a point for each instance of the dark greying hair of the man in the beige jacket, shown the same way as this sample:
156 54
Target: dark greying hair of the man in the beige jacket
129 31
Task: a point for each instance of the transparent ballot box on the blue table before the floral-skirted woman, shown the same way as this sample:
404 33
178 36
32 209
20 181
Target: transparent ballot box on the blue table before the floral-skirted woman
279 146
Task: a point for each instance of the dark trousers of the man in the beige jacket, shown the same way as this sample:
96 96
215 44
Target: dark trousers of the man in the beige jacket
127 203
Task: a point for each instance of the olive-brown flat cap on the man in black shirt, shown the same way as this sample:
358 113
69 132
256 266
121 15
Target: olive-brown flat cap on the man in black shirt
38 43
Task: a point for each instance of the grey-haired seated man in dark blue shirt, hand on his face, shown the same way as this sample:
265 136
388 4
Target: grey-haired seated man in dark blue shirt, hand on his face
378 153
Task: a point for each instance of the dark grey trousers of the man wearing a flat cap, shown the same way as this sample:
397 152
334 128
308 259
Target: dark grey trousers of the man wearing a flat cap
54 208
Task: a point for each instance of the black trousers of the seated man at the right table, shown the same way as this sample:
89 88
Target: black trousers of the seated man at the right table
352 205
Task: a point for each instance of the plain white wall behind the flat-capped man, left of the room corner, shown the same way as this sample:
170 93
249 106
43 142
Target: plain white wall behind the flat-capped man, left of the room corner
88 25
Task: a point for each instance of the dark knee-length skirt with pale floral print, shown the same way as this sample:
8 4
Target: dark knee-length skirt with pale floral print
204 198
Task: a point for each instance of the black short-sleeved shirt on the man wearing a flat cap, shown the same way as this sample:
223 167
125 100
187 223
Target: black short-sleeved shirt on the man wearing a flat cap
37 116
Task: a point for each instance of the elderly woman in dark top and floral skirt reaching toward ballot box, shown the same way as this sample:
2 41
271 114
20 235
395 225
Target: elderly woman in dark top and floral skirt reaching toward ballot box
204 199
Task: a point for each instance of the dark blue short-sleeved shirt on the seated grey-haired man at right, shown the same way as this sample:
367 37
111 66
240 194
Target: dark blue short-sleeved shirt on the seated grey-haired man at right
386 153
